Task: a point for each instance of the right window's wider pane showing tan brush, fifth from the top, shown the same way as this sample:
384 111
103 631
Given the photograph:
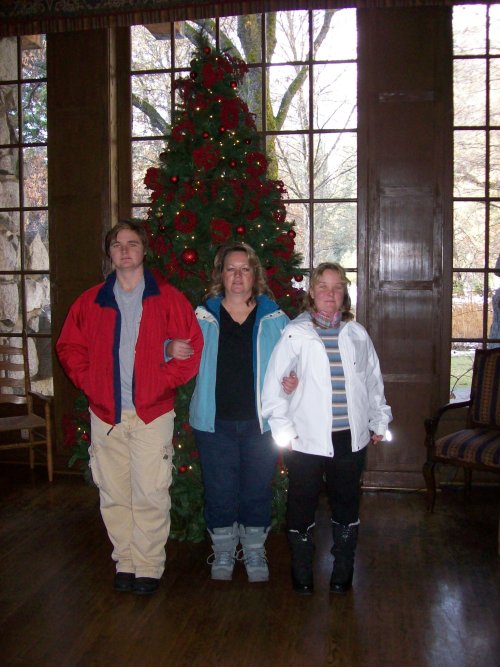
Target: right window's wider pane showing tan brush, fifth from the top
467 305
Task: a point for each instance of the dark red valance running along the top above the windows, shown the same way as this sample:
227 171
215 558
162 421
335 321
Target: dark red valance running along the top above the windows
29 17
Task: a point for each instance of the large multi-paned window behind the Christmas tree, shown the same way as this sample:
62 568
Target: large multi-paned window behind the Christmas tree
302 88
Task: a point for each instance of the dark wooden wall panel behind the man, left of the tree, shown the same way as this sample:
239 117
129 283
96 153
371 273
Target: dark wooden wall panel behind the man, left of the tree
82 178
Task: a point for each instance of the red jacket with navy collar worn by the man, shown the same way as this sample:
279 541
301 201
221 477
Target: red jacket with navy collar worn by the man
88 348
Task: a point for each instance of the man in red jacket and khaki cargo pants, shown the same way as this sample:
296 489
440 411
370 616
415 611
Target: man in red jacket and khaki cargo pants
127 343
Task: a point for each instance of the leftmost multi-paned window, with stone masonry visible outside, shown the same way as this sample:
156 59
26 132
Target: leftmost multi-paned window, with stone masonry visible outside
24 257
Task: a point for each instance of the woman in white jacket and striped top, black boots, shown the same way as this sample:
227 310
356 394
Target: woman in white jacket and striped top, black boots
337 409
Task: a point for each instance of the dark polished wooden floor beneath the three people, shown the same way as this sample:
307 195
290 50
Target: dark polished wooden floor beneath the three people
426 590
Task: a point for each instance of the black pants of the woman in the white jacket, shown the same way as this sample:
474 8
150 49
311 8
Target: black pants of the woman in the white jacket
307 474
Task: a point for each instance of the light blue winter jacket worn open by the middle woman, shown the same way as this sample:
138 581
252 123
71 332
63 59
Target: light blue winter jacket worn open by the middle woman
270 321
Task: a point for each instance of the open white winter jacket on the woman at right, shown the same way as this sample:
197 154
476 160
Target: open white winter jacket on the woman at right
305 416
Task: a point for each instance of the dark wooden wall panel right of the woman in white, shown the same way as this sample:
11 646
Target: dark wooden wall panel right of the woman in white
405 221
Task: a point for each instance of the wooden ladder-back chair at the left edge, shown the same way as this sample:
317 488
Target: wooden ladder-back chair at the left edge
25 415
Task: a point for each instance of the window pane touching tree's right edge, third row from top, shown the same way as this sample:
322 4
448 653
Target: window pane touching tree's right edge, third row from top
292 153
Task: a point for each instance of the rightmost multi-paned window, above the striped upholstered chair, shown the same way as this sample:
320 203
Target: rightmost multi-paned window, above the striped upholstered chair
476 225
